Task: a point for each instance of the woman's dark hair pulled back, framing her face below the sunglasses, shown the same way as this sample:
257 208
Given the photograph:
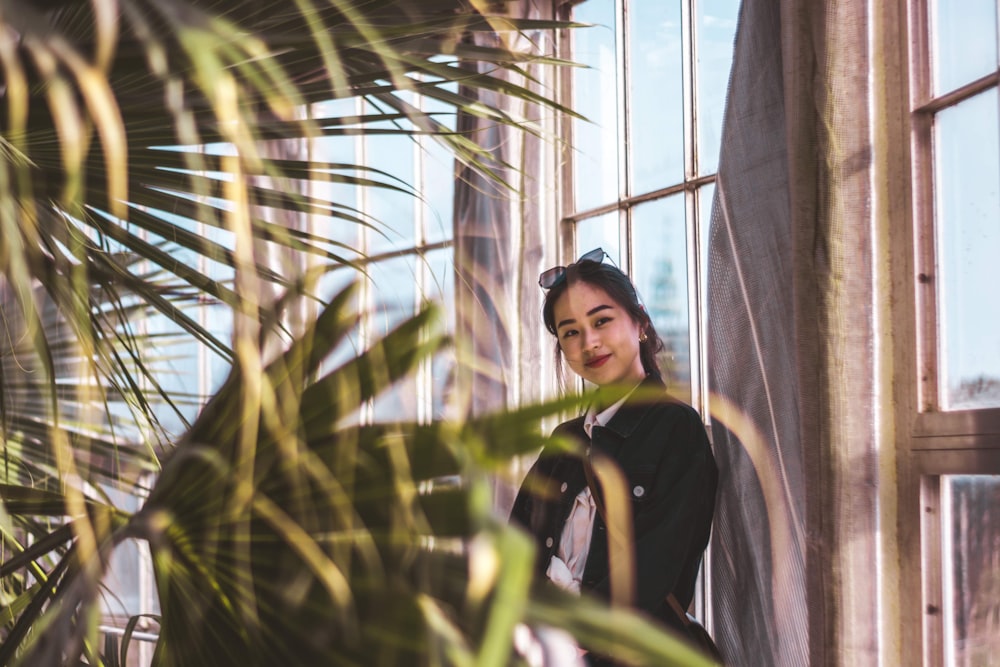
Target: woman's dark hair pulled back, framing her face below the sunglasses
612 280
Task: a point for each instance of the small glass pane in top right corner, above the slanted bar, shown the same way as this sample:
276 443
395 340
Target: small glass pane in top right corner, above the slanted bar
964 41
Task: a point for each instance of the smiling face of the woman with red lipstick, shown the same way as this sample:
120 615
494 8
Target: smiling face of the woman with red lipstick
598 338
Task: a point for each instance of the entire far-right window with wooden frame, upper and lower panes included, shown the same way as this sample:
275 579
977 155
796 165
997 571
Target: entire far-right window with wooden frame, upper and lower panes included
952 466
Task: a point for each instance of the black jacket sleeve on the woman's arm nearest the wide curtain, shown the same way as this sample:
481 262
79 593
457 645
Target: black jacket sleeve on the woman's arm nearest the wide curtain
673 503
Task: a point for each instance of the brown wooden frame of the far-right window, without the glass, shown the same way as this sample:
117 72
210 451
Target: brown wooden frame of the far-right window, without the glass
931 442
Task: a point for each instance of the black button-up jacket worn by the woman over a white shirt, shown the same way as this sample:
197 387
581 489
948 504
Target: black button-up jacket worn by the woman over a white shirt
662 448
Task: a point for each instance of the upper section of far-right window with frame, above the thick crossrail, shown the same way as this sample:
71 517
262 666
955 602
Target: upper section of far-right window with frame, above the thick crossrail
957 115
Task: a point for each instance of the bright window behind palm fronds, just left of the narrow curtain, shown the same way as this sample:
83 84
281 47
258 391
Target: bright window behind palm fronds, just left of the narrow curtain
406 250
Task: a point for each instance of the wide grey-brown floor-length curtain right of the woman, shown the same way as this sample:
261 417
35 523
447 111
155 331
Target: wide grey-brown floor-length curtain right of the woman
794 554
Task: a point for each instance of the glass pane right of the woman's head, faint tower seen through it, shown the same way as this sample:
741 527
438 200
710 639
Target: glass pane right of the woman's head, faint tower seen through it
660 266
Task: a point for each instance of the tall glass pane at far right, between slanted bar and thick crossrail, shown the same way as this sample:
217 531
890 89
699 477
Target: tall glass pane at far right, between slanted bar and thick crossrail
967 173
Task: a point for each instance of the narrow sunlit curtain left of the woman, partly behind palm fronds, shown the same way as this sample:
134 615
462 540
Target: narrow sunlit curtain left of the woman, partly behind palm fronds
500 241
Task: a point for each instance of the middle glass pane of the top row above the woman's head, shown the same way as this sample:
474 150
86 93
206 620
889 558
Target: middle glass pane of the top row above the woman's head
656 93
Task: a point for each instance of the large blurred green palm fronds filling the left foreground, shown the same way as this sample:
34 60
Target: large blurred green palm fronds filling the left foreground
283 528
